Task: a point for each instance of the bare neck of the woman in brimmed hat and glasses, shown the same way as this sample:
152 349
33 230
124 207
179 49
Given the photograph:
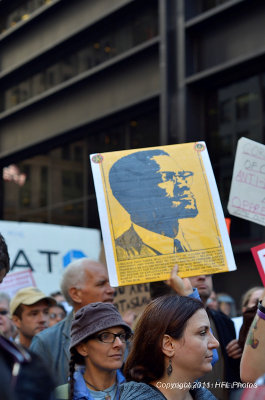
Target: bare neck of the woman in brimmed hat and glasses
101 380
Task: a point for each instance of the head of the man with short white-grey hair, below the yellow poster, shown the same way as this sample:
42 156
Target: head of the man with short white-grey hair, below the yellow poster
86 281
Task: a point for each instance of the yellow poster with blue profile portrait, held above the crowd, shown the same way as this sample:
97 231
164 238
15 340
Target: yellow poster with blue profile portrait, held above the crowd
160 206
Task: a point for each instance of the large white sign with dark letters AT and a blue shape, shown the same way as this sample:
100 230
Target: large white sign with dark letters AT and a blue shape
40 252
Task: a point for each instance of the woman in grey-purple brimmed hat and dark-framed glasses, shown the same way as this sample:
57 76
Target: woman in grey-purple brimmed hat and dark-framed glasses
98 341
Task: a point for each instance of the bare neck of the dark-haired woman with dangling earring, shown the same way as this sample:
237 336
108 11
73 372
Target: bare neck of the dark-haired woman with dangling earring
174 388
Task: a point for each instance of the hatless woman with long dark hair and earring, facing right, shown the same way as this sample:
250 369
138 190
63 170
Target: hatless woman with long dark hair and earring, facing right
172 348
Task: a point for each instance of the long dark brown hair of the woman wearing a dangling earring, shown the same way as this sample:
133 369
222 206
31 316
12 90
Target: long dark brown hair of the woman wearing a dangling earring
164 315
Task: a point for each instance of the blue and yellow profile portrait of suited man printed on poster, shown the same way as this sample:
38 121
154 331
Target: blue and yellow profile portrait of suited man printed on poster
156 193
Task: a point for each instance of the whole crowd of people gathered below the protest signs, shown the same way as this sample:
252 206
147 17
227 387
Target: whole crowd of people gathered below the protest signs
183 346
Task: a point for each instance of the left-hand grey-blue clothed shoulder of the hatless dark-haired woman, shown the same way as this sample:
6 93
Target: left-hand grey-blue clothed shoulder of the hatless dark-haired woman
140 391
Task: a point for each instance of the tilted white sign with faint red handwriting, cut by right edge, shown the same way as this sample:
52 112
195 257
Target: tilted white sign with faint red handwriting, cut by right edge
247 194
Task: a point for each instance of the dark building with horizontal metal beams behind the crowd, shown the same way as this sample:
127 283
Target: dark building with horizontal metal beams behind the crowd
85 76
